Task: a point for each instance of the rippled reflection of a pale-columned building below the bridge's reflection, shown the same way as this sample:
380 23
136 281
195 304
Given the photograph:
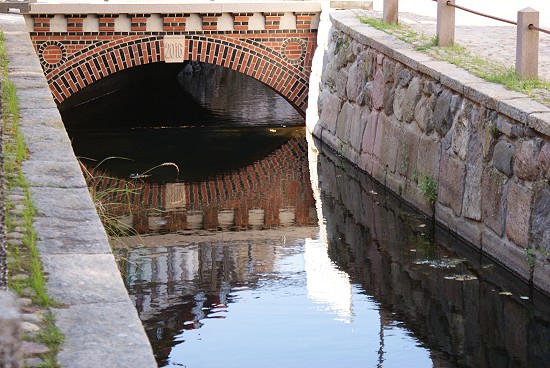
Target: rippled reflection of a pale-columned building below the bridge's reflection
180 286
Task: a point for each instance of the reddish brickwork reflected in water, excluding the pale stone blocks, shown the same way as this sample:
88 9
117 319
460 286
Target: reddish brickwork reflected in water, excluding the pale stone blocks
276 182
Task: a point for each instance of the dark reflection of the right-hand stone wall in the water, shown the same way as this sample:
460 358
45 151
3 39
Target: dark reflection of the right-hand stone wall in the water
371 234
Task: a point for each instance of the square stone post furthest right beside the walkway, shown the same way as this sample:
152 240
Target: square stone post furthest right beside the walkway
527 44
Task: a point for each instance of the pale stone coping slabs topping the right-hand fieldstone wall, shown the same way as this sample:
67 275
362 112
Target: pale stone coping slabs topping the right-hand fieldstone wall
515 105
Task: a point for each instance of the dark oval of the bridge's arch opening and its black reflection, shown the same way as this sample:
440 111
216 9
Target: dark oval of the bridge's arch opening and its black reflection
207 119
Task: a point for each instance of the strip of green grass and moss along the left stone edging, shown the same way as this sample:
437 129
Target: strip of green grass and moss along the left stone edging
24 256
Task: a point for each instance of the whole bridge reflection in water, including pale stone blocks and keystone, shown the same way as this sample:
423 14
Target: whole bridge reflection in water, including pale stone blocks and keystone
274 191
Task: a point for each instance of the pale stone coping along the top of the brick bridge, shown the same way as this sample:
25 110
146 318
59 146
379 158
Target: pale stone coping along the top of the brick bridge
171 7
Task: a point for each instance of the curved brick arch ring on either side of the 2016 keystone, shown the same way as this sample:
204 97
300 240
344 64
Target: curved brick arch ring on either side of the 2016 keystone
275 69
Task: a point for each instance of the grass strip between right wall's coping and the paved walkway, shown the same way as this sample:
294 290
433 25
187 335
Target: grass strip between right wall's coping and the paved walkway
461 57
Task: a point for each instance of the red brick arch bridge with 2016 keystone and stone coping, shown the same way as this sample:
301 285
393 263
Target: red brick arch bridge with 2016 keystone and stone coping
79 44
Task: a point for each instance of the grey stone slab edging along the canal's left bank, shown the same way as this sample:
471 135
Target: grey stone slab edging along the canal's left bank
100 324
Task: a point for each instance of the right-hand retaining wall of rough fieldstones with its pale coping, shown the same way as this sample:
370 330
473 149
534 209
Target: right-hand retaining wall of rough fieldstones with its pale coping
410 121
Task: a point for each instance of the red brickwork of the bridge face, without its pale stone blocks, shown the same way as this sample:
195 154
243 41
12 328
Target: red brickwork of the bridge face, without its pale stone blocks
73 60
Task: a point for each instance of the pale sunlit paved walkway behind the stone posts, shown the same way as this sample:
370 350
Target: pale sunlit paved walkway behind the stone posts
482 36
